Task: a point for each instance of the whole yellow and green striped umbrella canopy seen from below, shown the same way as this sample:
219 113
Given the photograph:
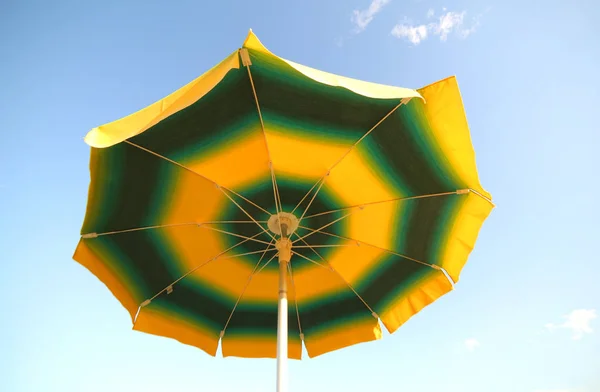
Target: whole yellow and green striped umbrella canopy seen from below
371 190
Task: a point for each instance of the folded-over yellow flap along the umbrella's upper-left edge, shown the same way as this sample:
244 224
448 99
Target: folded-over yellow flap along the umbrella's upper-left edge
136 123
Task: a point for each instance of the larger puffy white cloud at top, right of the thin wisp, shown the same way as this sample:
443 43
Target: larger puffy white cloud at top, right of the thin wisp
442 26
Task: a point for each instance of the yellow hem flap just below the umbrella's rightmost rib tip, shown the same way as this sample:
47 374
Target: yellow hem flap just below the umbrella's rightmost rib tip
463 235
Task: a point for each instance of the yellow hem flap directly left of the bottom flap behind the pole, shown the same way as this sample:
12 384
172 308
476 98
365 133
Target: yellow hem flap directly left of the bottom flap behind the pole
171 325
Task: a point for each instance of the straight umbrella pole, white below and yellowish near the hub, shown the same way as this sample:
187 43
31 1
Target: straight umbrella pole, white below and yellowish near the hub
285 246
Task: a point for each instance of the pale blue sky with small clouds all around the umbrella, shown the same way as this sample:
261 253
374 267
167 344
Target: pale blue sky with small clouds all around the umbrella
522 319
